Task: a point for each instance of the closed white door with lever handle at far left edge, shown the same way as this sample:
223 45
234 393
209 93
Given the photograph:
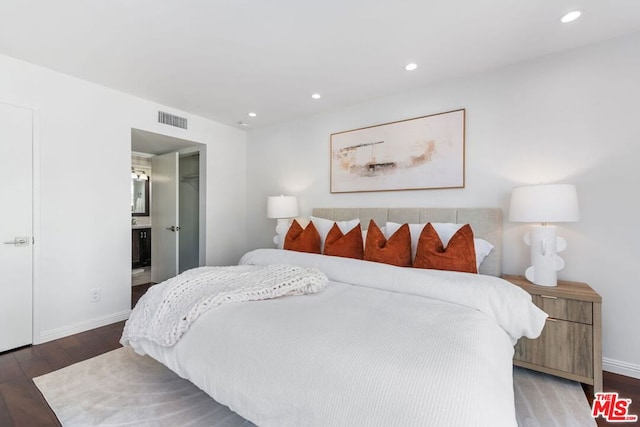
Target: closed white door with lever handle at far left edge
16 225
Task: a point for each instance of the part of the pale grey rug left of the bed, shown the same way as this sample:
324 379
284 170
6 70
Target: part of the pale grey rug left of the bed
122 388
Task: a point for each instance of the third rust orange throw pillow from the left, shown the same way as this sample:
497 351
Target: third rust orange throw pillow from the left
395 251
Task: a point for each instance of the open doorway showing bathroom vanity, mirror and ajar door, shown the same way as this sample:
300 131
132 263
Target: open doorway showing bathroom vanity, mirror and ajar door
172 233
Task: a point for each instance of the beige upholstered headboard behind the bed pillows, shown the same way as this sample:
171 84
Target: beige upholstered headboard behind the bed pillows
485 222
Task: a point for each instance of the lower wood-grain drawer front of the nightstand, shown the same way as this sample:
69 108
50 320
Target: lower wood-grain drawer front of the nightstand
571 343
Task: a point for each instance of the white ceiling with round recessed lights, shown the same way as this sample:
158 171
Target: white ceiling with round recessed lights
222 59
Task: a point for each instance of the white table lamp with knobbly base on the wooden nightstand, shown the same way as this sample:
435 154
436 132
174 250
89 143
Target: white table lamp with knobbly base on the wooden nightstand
544 204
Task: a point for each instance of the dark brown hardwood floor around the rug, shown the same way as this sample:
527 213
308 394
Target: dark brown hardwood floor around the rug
21 404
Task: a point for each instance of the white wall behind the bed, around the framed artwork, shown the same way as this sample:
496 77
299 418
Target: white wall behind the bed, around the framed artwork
569 118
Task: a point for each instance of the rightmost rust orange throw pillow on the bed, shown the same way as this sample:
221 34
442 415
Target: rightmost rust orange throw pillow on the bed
459 255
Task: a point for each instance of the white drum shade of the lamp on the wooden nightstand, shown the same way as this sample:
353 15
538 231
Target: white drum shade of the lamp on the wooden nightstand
544 203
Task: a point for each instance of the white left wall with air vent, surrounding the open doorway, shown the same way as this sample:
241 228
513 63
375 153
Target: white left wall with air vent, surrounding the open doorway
83 225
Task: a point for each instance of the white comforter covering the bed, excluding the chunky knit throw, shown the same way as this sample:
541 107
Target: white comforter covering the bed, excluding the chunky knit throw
380 346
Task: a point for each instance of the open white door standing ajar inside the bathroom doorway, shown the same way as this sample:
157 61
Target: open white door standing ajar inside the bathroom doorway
164 217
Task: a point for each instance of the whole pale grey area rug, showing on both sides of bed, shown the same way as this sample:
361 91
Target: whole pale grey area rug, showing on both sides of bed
121 388
